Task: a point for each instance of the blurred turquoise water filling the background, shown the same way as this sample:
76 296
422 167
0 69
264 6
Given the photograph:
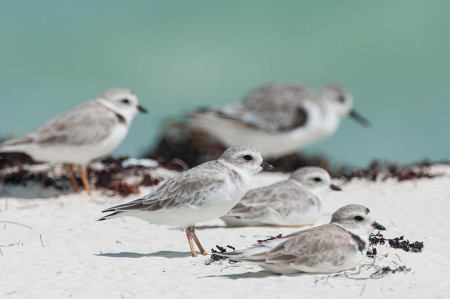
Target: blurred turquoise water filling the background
394 56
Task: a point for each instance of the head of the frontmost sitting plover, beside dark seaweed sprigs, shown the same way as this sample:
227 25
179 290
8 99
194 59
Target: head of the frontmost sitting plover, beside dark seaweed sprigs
357 220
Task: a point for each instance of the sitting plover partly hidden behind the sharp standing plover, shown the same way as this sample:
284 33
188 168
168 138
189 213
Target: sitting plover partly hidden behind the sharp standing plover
296 201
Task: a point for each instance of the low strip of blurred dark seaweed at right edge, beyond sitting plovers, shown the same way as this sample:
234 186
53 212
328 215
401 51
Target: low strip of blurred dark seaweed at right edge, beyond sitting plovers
379 170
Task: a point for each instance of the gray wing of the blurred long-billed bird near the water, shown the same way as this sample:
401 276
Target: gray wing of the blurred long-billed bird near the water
269 108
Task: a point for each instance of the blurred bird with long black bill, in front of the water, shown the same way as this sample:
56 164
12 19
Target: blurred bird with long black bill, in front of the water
279 120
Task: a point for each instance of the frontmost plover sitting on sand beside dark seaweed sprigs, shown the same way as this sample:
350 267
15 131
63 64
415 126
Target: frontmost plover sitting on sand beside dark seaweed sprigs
334 247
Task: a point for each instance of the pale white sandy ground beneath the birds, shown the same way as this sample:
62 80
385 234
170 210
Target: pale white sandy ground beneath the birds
53 248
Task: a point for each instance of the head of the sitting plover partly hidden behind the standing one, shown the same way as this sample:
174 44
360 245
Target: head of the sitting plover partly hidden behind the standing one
315 179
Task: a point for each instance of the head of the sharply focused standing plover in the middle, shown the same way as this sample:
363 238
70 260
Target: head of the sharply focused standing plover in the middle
246 158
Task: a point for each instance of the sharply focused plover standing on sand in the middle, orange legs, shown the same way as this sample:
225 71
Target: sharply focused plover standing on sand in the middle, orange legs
202 193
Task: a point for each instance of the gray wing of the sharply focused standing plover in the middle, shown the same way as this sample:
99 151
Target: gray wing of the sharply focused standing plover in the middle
189 188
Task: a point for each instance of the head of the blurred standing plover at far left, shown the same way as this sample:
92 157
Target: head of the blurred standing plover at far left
122 101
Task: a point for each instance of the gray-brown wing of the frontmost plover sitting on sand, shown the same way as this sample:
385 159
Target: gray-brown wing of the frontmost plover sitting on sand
325 248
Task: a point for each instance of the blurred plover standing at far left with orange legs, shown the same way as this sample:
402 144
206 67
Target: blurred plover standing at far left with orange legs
87 132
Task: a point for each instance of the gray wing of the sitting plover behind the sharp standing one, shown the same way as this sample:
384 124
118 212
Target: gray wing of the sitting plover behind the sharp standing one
272 204
